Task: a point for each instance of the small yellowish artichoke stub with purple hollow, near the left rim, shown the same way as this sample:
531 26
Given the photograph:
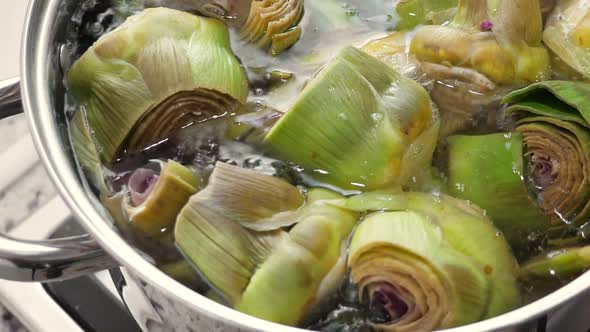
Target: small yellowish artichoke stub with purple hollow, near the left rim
153 197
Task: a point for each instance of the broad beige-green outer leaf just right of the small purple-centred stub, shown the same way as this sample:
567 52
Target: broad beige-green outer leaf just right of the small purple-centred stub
225 253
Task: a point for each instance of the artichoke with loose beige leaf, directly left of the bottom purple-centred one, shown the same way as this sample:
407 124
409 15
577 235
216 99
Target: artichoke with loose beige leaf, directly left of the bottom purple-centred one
274 275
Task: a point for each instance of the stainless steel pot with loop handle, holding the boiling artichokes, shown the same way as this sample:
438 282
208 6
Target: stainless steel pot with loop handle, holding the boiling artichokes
178 307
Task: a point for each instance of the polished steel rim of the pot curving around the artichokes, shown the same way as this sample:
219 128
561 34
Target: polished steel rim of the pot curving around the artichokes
40 75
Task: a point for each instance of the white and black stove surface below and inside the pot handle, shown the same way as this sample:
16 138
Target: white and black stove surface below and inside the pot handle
89 303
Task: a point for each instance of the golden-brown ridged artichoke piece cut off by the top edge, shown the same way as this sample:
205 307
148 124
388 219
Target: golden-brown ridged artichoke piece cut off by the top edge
273 24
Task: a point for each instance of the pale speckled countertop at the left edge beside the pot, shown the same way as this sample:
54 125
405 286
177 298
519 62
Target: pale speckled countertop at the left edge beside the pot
22 196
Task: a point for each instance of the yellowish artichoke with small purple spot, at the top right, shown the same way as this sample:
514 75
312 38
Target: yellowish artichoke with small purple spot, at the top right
487 48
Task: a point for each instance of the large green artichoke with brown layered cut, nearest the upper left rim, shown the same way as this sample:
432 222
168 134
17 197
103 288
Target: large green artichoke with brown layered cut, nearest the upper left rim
160 71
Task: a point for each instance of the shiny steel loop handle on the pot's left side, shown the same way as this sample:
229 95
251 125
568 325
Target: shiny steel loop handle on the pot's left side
50 260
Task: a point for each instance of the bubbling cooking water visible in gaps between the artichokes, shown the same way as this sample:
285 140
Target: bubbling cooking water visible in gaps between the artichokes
275 83
